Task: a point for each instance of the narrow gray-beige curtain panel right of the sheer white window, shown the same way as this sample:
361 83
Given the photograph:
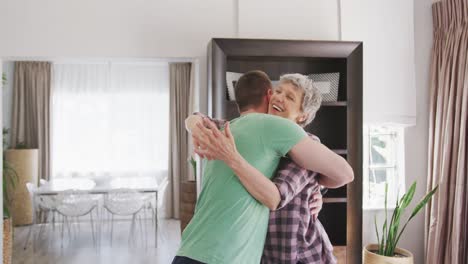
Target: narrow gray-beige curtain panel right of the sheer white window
178 136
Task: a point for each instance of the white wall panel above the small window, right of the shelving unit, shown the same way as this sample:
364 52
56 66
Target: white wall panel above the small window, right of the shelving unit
387 31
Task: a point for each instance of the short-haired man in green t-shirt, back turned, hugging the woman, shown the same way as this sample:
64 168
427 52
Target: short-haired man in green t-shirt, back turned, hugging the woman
229 225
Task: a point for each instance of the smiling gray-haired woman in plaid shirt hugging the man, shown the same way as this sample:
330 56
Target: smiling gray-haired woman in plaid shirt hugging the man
293 236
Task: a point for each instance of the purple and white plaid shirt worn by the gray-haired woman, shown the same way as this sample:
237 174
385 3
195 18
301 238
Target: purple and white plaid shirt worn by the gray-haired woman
293 236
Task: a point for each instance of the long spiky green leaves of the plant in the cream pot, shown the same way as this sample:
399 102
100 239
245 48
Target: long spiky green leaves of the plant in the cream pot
390 235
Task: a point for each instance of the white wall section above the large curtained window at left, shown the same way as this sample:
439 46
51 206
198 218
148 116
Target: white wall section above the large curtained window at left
138 28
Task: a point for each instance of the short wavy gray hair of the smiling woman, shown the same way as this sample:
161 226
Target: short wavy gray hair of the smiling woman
312 97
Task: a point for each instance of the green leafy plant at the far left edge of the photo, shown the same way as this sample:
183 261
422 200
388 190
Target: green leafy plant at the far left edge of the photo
9 180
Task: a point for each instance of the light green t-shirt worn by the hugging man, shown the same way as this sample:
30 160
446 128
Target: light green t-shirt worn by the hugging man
229 225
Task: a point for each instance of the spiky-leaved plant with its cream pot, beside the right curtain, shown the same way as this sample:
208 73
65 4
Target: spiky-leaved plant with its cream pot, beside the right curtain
386 250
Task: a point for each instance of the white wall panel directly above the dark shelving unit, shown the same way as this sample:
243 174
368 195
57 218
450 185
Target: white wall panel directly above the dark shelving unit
292 19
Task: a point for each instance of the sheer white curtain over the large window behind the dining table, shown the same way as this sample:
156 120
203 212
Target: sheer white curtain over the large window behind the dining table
110 119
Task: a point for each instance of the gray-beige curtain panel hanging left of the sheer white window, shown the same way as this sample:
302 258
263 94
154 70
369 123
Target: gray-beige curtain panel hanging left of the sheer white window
31 110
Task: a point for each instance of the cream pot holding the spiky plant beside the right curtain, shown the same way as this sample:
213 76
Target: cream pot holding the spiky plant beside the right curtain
369 257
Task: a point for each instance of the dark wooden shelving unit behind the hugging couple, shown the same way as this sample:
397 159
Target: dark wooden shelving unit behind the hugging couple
337 124
